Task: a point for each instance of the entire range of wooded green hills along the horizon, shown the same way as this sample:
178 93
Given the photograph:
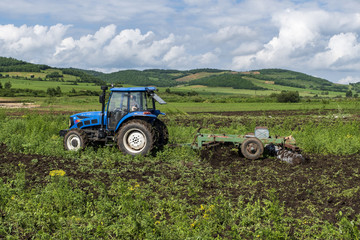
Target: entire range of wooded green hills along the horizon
263 79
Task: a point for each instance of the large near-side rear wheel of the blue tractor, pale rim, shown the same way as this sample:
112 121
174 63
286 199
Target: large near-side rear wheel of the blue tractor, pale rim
135 137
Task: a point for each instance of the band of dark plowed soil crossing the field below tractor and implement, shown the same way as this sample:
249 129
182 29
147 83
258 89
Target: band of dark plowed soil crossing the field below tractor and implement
321 187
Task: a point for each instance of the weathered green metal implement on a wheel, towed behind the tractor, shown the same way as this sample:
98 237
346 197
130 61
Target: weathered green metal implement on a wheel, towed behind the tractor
252 146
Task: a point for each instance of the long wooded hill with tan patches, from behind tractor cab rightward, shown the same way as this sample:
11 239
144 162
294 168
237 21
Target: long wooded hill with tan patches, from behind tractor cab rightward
258 79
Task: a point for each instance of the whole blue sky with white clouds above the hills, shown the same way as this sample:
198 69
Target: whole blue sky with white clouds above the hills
319 37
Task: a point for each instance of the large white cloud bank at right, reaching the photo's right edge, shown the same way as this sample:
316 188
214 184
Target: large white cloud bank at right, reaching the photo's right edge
304 41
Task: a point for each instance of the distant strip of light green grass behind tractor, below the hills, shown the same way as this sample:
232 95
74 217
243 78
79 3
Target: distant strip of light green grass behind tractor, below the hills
91 103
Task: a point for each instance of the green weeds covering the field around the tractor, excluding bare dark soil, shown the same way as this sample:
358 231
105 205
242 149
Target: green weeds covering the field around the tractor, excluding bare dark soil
174 195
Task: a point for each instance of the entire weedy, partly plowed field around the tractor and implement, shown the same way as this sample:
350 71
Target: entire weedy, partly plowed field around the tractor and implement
180 193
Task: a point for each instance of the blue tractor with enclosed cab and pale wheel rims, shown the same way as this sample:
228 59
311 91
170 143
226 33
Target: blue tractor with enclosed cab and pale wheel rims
129 120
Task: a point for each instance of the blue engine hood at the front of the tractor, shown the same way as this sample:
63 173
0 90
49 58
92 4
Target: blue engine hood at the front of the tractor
85 119
